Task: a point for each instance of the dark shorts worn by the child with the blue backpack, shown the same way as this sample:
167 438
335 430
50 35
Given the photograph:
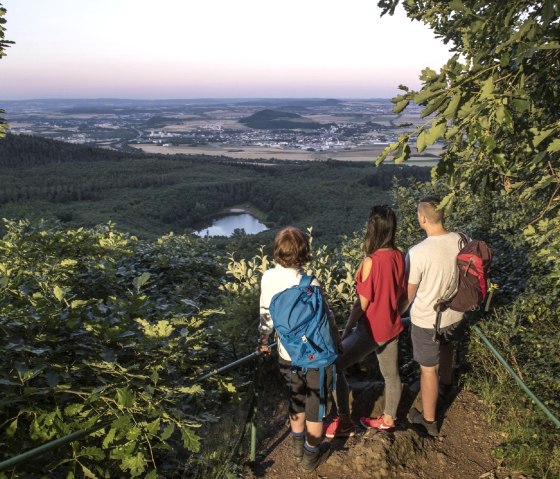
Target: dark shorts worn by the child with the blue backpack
304 389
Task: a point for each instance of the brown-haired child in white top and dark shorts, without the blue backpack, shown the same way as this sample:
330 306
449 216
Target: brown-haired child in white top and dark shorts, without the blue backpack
291 253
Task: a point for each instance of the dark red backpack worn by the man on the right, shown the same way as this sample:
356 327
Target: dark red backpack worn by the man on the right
473 267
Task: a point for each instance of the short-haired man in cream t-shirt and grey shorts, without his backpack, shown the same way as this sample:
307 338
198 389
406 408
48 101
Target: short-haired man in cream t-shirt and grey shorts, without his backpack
432 275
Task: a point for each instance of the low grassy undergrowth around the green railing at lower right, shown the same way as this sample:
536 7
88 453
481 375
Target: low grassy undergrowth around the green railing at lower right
527 337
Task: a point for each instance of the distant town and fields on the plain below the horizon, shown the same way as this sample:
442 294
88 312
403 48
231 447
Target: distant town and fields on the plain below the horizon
290 128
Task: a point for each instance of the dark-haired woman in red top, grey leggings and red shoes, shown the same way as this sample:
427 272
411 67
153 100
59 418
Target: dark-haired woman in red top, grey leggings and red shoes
380 284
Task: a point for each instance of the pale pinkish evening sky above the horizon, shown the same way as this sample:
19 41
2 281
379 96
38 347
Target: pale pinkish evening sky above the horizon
171 49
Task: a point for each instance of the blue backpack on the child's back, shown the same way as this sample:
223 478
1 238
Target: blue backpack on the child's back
299 317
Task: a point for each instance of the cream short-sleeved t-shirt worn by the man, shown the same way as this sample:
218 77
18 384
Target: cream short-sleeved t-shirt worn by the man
431 264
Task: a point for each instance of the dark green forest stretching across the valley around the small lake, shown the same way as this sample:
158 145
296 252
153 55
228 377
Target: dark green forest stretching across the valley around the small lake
151 195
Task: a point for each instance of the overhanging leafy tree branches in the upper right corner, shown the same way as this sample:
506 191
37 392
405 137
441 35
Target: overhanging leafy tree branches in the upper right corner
495 105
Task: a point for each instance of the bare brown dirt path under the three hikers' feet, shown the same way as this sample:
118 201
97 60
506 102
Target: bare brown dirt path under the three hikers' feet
462 450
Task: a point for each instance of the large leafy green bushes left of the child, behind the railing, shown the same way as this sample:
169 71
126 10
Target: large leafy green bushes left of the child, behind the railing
98 326
